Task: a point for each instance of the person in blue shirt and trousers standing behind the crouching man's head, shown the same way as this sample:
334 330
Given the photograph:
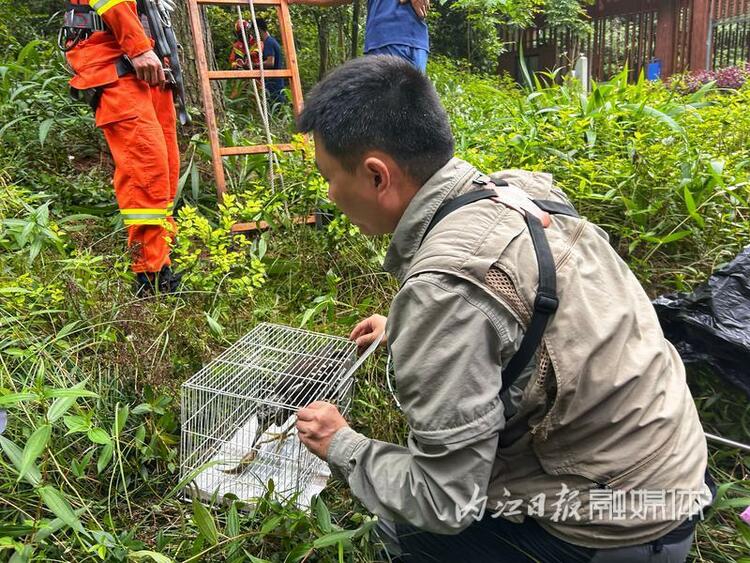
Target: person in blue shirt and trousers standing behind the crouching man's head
394 27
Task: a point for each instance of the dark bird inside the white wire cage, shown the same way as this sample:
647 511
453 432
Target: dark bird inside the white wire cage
308 379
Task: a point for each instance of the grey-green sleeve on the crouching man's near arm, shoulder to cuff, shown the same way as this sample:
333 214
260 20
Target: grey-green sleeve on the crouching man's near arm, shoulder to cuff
446 343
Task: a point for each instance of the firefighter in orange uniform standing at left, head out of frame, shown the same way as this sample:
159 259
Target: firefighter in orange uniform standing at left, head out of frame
119 73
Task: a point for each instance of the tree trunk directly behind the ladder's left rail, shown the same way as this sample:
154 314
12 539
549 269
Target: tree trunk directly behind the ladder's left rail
193 96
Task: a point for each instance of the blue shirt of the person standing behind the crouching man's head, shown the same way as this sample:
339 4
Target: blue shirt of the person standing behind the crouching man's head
391 23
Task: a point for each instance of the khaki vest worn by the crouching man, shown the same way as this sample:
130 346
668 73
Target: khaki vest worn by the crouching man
607 413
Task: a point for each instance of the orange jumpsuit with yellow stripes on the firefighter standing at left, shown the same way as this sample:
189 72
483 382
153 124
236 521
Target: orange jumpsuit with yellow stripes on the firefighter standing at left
139 124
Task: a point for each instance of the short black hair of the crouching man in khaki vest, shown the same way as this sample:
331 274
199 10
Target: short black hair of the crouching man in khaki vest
380 102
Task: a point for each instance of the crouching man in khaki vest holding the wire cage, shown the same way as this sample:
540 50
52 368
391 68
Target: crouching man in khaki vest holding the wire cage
548 417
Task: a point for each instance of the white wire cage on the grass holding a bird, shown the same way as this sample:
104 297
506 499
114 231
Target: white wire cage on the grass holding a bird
238 412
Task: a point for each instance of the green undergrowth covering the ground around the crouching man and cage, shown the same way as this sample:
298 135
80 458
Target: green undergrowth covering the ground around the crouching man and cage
90 373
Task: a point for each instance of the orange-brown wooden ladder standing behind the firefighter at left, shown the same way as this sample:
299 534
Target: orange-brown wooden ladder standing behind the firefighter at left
291 73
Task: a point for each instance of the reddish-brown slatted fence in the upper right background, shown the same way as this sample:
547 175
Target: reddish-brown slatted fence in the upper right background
681 34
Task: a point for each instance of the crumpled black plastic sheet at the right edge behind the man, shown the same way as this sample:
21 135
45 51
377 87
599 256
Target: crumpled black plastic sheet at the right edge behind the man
712 324
